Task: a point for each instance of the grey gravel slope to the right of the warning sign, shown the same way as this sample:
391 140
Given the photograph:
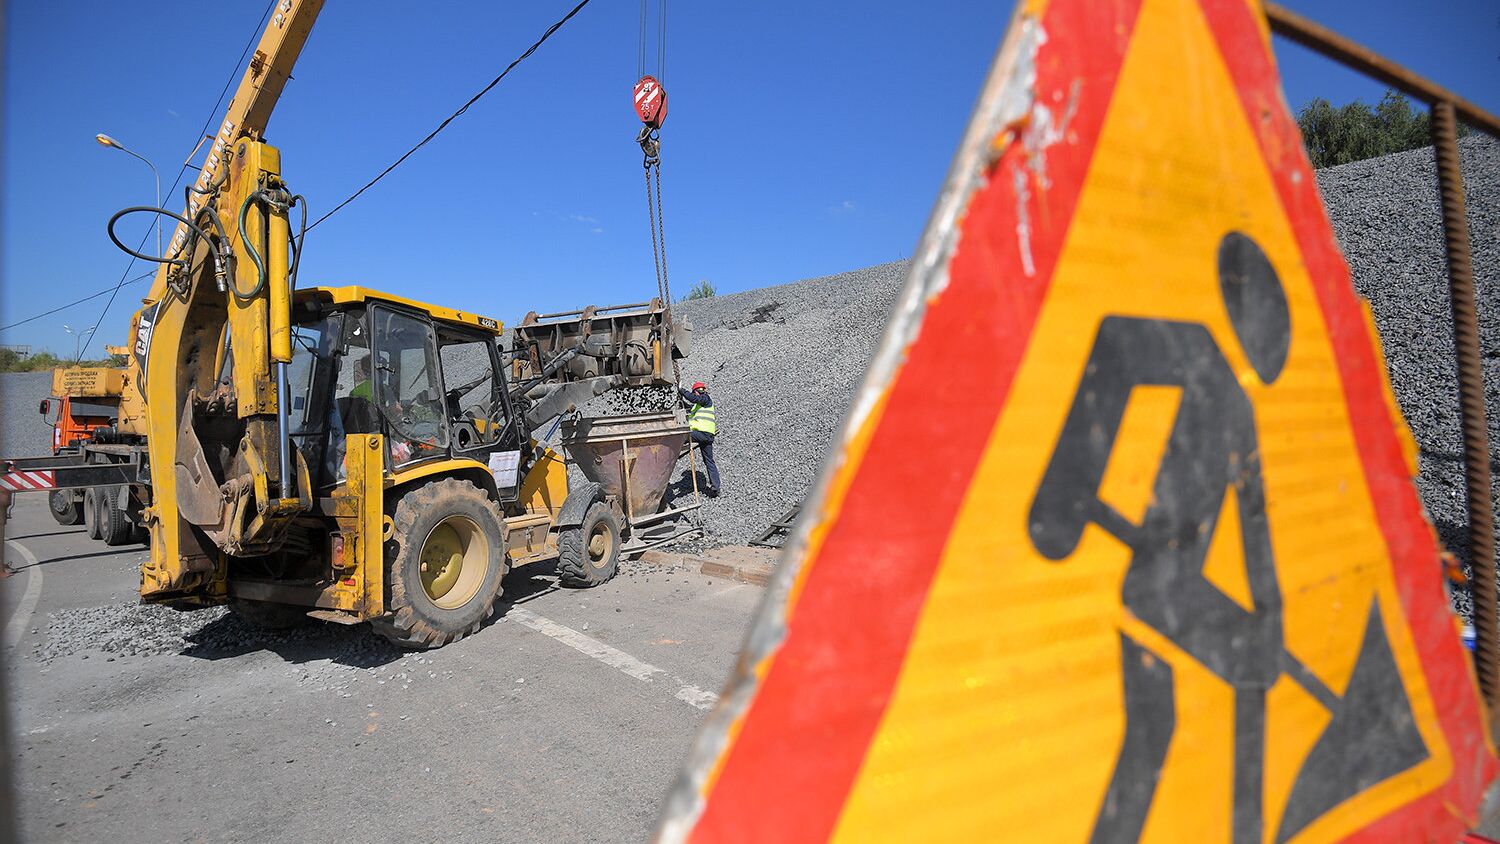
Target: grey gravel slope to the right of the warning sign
1387 217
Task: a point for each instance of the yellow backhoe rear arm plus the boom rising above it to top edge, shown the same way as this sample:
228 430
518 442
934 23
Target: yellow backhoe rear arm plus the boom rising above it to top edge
214 343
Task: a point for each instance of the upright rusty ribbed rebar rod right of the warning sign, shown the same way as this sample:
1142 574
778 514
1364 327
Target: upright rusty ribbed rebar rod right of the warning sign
1471 400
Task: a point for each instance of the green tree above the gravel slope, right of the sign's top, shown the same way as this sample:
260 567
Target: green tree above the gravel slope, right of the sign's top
1357 133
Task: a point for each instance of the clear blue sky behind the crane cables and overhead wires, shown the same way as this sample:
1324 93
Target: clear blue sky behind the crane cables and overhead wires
803 139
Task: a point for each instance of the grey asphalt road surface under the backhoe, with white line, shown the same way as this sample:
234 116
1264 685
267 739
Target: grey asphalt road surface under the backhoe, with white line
563 720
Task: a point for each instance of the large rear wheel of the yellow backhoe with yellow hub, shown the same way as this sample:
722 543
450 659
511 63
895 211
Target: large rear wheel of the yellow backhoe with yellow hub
451 557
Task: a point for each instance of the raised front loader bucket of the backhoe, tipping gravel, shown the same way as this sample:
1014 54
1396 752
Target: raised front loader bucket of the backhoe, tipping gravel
635 343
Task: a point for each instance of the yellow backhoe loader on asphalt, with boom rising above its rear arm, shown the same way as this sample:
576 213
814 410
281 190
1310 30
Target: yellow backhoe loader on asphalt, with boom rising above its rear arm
343 453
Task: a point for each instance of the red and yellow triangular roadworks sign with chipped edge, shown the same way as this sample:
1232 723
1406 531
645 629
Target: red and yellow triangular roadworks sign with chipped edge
1121 542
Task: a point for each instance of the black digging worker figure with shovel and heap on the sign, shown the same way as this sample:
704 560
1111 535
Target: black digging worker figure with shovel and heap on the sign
1213 456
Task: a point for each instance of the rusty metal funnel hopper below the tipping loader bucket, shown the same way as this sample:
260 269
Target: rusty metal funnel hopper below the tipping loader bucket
632 456
